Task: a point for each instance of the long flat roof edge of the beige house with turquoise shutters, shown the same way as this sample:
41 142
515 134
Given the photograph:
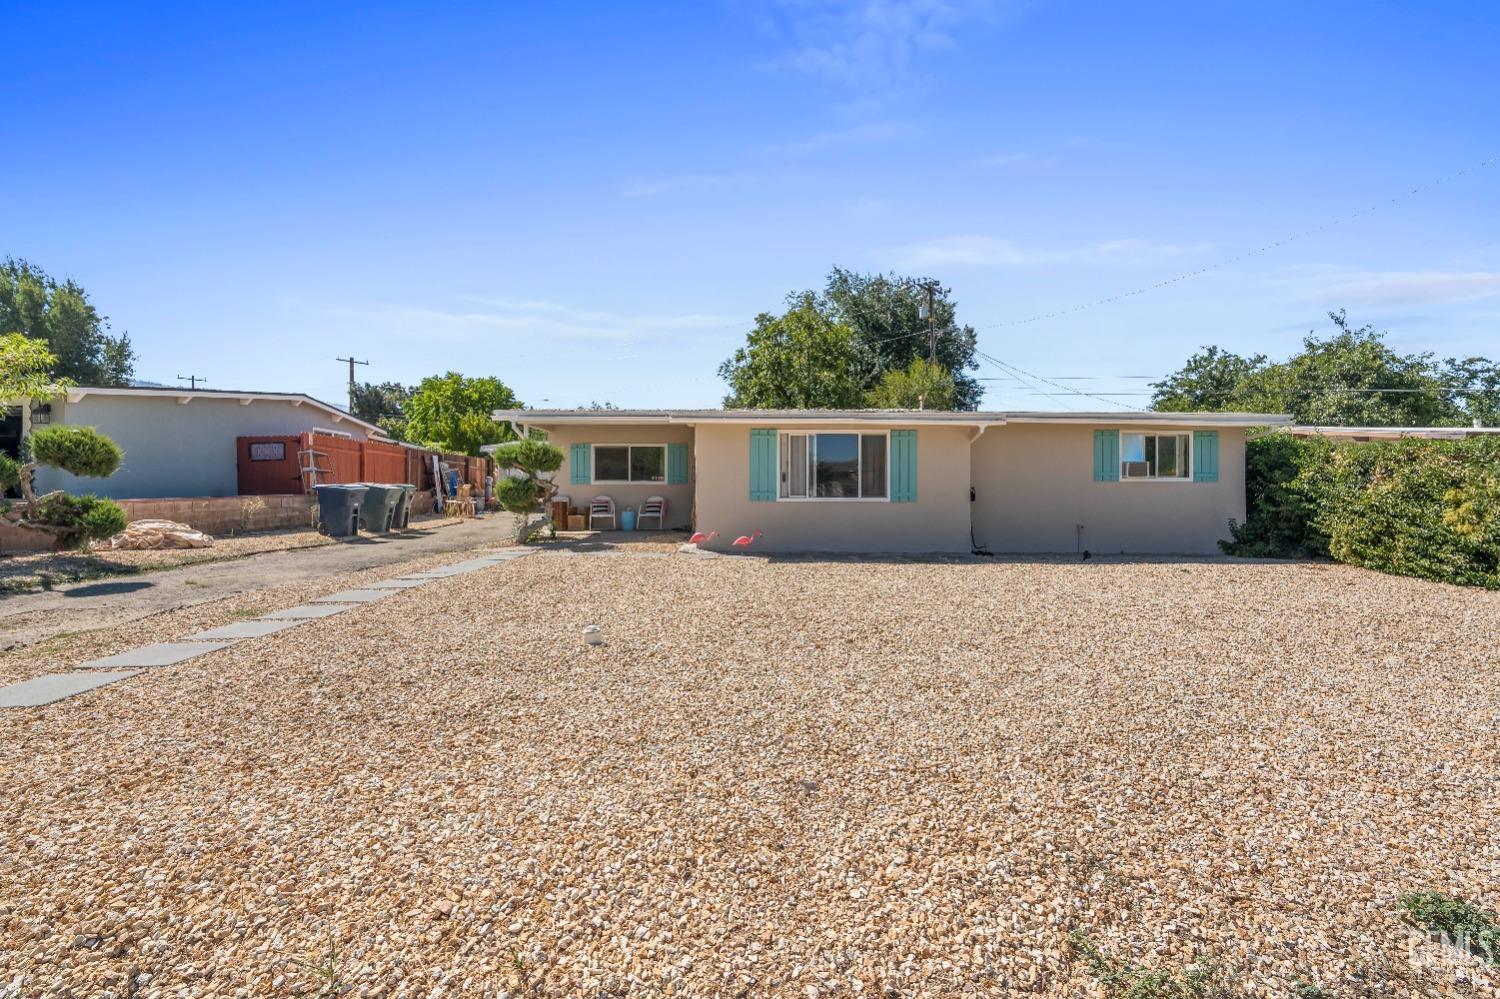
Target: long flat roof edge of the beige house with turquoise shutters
886 418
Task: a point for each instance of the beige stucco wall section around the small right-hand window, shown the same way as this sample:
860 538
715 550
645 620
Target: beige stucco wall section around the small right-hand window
1034 485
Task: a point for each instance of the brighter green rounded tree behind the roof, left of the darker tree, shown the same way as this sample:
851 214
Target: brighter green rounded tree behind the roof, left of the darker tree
797 361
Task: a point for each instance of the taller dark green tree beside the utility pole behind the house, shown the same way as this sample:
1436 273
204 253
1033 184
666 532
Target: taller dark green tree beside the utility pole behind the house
886 314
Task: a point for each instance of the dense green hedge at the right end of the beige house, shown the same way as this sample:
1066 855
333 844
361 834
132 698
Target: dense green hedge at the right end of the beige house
1412 508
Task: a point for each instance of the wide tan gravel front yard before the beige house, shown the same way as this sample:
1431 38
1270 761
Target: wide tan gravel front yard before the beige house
776 779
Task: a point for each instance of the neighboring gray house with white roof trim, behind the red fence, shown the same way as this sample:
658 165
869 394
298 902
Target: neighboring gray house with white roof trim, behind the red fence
176 442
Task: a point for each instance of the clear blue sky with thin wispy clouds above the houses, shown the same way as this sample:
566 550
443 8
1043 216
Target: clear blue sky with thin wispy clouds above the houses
593 200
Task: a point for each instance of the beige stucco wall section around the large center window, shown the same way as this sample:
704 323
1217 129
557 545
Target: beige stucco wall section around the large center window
937 523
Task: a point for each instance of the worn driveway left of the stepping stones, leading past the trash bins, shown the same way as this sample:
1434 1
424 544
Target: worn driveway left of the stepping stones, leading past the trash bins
32 617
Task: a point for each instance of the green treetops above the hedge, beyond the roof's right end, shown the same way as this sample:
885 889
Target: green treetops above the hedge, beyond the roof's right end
1351 379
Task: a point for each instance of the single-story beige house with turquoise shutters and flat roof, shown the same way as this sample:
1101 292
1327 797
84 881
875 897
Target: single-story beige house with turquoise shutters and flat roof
877 481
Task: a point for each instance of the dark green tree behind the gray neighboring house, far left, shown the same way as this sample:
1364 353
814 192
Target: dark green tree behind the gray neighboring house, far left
61 316
